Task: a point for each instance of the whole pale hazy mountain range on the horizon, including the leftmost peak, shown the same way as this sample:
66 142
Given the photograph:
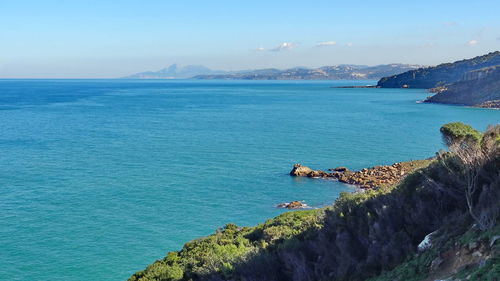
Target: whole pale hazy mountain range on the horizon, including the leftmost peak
339 72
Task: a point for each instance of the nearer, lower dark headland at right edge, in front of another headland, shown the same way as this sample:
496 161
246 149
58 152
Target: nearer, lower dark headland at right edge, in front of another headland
477 88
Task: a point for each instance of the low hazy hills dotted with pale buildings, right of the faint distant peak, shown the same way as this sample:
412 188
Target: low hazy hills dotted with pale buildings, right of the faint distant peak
340 72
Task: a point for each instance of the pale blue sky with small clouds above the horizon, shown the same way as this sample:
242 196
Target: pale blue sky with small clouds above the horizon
113 38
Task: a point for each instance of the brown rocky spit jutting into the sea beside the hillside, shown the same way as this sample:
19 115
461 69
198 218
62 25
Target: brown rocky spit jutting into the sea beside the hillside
366 178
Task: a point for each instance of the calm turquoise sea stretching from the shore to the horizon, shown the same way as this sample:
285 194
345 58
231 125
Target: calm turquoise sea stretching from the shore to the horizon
98 178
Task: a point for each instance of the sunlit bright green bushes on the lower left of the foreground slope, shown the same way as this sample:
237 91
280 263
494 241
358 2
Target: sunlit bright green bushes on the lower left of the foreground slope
230 245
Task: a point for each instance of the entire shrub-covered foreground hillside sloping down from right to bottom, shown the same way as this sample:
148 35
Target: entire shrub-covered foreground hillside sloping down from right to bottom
440 221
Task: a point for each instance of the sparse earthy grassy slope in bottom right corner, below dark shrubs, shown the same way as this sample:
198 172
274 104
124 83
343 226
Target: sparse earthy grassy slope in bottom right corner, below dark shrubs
472 256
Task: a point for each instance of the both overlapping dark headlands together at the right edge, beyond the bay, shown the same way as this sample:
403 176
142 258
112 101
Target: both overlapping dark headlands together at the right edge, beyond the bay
474 82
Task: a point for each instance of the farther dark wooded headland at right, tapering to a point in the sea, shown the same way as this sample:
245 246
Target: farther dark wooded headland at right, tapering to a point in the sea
430 77
